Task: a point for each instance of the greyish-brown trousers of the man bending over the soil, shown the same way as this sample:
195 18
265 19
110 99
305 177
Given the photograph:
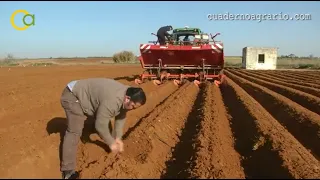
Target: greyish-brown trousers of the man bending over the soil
75 123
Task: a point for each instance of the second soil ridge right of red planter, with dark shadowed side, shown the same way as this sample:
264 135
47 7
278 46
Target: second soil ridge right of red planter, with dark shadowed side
303 124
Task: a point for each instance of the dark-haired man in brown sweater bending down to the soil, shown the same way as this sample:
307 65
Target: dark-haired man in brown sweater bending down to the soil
104 99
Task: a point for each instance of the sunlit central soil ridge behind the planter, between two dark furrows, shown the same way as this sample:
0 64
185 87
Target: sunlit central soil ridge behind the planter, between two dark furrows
216 156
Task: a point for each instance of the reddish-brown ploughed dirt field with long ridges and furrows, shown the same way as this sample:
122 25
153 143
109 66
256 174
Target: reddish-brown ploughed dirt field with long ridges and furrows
263 124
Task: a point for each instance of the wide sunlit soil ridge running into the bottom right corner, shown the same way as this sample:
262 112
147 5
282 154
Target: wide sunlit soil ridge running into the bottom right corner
289 153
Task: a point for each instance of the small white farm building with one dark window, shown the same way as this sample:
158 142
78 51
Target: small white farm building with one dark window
259 58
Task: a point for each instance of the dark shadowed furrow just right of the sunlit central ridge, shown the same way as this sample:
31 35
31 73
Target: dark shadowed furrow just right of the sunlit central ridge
248 137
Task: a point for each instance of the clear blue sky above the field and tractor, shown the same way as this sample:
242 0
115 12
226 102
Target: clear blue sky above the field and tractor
103 28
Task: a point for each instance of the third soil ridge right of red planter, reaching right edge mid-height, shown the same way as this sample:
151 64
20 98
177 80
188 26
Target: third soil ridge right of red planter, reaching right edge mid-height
304 99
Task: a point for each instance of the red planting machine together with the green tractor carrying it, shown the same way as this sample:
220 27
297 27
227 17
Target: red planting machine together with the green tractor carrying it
188 55
